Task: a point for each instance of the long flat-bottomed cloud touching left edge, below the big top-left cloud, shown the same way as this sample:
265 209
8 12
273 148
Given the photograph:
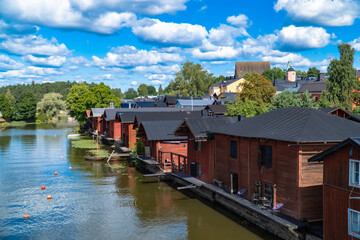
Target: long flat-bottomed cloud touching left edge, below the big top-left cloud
34 45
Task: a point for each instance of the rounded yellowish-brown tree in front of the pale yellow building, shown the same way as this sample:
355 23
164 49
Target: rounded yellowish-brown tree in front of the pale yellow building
257 88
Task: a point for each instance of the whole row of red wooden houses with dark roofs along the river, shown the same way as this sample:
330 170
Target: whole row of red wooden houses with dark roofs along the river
278 155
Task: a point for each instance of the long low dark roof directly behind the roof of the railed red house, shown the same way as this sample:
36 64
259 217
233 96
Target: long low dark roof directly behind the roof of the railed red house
141 117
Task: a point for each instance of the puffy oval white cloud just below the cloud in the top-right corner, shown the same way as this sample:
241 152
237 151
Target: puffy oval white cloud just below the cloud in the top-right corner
293 38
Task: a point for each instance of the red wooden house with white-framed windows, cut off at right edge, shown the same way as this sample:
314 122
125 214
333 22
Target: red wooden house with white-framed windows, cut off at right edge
341 210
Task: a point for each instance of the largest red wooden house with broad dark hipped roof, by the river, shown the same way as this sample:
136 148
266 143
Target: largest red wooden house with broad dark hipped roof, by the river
267 155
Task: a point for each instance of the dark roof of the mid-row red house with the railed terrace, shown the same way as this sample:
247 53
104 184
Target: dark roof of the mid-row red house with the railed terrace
160 130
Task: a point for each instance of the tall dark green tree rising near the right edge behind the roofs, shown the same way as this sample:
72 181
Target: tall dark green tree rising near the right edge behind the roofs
342 82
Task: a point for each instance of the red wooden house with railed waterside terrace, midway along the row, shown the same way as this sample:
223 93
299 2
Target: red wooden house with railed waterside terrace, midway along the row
162 145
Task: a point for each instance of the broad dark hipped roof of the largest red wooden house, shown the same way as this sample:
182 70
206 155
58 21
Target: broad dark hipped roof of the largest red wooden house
294 124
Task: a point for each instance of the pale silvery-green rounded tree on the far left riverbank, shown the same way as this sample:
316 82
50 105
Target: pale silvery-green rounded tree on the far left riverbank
51 104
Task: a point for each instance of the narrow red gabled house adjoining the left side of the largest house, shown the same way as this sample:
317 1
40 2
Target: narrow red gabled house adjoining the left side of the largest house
201 144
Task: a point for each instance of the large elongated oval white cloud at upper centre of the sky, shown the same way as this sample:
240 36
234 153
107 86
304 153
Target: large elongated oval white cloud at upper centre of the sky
153 30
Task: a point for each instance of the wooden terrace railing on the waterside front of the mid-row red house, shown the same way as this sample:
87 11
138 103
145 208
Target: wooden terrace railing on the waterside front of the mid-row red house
172 162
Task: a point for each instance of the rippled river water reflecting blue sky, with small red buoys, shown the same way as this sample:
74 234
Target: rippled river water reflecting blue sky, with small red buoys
91 200
